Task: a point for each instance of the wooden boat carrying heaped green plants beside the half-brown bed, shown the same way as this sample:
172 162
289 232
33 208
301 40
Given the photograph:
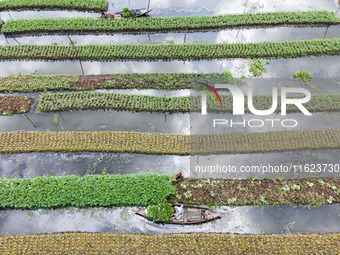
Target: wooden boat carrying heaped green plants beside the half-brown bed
192 215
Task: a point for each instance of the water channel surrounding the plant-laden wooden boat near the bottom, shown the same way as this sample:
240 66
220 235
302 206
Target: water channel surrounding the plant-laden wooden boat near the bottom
242 220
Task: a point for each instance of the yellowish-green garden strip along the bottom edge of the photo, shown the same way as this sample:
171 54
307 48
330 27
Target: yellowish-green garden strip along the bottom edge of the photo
200 243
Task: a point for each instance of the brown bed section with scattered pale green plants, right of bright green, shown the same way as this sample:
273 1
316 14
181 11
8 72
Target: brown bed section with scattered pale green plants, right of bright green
306 191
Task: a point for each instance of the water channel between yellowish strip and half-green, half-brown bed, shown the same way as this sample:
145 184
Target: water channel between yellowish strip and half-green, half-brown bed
31 165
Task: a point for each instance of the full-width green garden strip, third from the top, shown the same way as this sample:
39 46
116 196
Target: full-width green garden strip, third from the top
194 51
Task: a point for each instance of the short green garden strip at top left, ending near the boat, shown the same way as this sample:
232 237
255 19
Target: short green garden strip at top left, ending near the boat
81 5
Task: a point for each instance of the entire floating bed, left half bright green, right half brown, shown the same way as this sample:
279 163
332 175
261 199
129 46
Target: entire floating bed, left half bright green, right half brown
151 189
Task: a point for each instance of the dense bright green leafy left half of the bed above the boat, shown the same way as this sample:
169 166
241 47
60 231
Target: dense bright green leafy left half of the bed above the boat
87 191
